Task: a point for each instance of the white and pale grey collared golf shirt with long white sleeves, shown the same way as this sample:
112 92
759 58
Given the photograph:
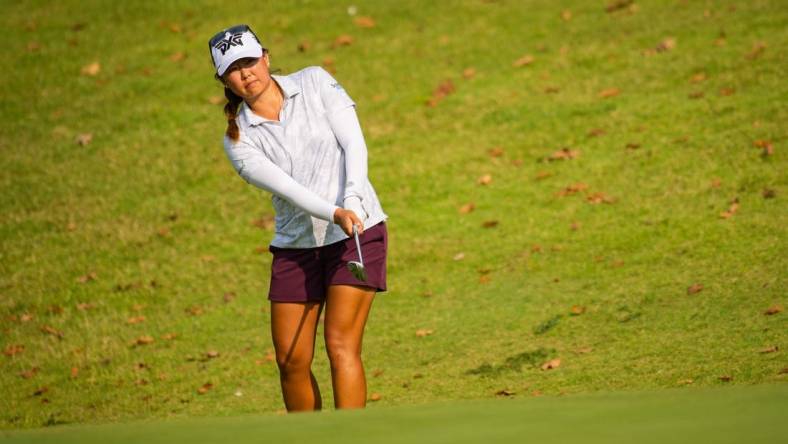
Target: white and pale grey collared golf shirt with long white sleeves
313 159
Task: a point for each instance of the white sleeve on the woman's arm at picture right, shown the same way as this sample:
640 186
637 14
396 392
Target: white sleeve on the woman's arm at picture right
347 130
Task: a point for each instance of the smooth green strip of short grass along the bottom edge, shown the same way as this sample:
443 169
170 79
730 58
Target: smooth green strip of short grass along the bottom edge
721 415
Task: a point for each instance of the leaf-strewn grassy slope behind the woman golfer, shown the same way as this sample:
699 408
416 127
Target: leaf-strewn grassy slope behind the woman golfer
152 207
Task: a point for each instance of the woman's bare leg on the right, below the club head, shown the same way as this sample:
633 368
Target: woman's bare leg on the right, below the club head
347 308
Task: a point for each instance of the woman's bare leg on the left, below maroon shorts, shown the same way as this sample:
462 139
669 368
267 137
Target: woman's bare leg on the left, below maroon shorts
293 329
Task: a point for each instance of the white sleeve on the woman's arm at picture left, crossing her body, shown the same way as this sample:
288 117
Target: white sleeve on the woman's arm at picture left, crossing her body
255 168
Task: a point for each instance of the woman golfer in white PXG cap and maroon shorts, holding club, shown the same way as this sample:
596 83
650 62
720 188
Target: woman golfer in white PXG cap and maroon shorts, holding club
298 137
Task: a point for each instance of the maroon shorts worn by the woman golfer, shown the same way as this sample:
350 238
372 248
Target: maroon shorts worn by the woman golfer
304 274
